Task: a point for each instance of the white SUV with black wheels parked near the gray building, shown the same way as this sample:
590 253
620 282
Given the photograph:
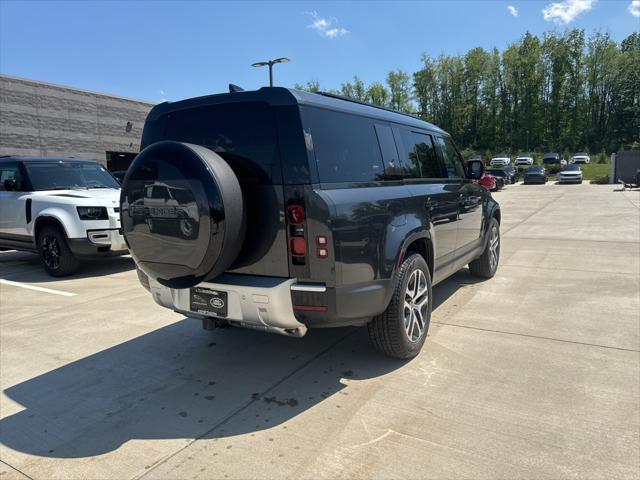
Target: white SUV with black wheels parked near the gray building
64 209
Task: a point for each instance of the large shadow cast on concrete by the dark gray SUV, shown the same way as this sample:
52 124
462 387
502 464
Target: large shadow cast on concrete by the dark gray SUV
182 382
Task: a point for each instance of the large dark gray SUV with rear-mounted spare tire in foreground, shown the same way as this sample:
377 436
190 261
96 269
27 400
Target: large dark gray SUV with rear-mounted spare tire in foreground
305 211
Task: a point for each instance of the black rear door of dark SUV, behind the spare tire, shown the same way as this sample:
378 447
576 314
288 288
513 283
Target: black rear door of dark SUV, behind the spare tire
246 135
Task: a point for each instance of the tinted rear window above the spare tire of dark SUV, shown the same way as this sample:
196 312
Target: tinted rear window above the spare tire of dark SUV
244 134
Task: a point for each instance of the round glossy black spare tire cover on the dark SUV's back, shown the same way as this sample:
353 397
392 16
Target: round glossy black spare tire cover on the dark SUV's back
182 213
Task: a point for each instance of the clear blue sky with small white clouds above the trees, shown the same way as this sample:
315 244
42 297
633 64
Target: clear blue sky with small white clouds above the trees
169 50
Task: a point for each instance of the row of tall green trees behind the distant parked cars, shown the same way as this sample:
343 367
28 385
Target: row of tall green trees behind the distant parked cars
563 92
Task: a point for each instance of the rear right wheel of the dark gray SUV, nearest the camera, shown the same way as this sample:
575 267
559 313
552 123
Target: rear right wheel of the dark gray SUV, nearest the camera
388 331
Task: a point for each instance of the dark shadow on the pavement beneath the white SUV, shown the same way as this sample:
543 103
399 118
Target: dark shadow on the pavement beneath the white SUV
26 267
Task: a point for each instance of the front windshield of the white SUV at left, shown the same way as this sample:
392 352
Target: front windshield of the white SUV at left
69 175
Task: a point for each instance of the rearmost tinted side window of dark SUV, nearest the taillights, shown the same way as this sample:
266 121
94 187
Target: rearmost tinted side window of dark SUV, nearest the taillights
346 147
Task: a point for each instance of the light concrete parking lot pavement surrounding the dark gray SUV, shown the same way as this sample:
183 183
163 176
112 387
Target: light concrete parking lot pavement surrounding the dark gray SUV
532 374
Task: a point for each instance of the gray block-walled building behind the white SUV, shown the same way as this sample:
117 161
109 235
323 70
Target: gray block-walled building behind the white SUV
43 119
